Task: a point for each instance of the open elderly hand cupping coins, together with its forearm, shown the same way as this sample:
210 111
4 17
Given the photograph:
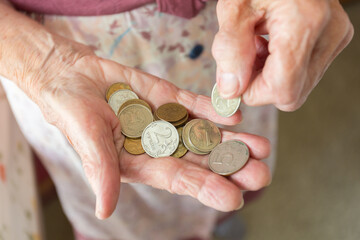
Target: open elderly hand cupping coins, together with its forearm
69 82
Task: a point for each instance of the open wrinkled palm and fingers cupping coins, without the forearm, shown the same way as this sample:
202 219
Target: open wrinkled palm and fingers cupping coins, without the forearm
74 101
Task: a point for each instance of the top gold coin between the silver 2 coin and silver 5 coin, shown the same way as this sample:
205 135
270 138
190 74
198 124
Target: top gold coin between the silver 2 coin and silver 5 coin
204 135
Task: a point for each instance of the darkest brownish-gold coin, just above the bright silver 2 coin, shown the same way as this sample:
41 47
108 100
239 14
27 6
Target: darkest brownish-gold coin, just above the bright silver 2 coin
171 112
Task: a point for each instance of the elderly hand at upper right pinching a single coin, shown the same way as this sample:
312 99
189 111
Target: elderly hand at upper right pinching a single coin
305 37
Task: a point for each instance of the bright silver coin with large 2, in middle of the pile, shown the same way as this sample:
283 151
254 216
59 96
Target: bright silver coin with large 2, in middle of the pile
160 139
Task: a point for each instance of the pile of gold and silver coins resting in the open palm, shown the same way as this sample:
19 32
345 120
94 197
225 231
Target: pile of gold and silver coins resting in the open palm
167 135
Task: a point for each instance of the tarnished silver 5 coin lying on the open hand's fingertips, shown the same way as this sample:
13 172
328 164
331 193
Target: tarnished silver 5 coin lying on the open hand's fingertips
228 157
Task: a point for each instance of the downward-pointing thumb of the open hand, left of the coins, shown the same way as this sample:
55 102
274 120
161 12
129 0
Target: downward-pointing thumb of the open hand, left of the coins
93 139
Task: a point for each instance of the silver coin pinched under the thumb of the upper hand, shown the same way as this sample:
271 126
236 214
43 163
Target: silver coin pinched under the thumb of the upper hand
224 107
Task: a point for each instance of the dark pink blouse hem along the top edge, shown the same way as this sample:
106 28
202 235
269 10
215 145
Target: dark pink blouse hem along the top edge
181 8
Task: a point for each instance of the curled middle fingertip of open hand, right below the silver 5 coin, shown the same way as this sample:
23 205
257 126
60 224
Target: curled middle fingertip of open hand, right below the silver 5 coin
253 176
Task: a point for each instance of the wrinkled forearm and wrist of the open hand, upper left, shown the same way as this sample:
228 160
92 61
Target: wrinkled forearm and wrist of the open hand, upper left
30 54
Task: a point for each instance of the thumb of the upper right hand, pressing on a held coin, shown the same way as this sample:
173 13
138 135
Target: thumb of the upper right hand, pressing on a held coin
234 47
